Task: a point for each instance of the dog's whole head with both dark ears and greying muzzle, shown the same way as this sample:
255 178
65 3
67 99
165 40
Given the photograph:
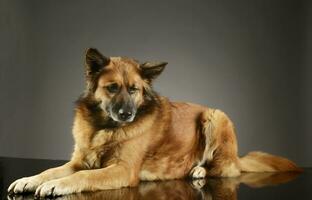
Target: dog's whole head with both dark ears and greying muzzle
119 85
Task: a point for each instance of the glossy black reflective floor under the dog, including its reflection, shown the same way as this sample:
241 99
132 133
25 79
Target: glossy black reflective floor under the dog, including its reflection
248 186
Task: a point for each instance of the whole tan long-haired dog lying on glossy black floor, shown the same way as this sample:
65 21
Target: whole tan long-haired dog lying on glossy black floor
124 132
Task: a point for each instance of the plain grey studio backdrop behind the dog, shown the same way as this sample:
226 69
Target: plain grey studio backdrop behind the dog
250 58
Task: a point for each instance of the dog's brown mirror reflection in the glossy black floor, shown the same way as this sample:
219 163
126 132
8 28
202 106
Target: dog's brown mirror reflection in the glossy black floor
206 189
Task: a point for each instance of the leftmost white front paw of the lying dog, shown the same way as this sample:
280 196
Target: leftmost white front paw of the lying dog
27 184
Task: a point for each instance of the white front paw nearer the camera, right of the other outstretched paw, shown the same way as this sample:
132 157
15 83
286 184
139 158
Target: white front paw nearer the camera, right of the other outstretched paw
54 188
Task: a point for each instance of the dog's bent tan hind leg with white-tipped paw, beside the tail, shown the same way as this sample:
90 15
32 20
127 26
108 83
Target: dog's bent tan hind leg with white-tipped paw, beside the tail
219 156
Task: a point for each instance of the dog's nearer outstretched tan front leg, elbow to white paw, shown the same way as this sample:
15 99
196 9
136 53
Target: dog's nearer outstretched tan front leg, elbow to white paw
112 177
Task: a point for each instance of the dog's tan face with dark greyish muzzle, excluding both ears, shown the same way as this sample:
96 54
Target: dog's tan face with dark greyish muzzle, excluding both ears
120 91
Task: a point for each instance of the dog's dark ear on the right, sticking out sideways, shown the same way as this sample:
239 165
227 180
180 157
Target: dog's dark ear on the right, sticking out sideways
151 70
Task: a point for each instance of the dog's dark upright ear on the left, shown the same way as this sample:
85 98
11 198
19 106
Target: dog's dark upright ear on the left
95 61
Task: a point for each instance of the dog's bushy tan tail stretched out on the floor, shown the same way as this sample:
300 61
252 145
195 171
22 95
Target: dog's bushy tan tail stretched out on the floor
257 161
